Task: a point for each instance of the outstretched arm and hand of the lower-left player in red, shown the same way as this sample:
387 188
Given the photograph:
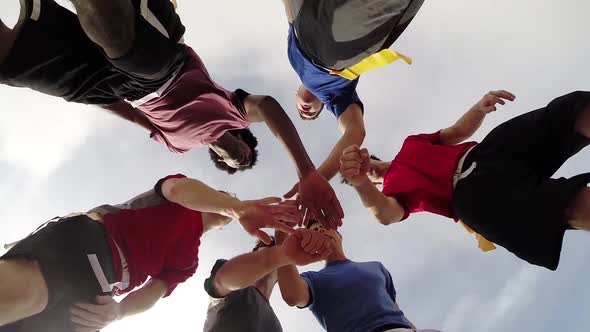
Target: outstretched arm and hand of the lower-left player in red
252 215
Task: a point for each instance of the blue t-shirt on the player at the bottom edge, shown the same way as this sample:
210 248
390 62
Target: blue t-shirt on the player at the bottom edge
348 296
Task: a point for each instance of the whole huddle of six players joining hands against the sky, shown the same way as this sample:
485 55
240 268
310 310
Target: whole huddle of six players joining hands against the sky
128 57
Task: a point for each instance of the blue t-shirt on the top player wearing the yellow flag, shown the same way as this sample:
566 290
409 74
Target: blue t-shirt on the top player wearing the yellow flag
337 93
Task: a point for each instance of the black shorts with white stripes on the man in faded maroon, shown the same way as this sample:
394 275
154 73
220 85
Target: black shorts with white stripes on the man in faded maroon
53 55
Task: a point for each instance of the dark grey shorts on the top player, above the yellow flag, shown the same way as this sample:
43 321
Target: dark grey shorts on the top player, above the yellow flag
339 34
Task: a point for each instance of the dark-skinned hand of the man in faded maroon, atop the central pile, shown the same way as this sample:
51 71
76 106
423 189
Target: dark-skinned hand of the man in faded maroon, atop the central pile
318 200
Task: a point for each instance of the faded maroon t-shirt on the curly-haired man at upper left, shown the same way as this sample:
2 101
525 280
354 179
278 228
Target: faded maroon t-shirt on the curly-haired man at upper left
193 111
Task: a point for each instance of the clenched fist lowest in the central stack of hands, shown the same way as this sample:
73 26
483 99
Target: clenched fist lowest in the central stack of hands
305 247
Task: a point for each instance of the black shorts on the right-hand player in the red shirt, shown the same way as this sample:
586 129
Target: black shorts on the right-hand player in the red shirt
510 197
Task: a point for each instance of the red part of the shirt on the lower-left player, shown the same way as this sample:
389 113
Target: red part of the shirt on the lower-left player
159 241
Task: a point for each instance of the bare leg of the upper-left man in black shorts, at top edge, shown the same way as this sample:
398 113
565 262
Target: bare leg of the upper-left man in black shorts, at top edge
108 23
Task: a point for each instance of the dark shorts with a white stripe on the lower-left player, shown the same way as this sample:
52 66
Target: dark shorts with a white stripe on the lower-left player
68 251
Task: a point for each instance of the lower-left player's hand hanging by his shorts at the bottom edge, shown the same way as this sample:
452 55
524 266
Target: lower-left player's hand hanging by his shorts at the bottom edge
94 317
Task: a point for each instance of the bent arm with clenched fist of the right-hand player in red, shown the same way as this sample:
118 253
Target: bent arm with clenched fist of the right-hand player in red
354 167
